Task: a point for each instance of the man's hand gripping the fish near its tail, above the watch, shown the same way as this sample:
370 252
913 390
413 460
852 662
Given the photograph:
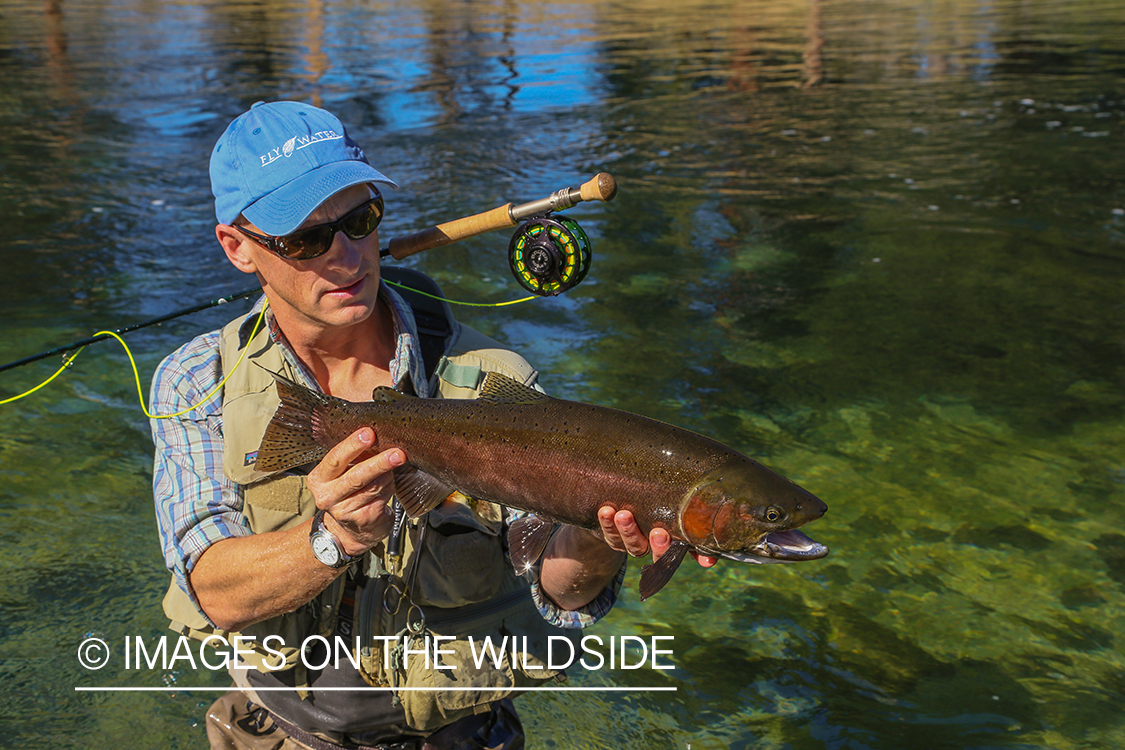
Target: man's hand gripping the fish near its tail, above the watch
355 489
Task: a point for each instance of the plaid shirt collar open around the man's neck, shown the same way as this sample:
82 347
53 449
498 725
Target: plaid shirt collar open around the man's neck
407 363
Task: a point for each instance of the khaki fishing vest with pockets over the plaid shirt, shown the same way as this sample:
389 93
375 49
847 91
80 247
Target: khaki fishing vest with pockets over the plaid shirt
464 584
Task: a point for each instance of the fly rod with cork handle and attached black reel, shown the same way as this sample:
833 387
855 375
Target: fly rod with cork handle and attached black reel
546 263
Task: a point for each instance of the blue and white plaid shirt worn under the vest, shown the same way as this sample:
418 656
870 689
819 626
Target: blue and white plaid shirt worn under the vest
197 505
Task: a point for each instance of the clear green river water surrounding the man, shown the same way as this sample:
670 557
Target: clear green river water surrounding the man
878 246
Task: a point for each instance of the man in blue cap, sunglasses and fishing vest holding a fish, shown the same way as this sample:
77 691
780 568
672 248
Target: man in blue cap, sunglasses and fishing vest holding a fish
310 554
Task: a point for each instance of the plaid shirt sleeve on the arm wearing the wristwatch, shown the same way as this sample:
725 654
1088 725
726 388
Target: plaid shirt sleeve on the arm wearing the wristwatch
196 504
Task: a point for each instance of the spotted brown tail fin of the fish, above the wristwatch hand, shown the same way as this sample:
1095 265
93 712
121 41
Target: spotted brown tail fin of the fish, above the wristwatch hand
305 428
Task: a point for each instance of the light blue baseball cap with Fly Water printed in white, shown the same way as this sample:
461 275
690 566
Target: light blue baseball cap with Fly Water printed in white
277 162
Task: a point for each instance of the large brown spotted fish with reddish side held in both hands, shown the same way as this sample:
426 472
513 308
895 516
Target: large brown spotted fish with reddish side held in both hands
563 462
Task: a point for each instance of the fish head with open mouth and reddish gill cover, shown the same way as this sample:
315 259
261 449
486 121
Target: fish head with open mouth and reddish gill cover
745 512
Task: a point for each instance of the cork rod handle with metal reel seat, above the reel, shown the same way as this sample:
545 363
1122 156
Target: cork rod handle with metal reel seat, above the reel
601 187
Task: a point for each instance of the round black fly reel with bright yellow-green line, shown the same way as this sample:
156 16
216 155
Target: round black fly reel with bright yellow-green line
550 255
